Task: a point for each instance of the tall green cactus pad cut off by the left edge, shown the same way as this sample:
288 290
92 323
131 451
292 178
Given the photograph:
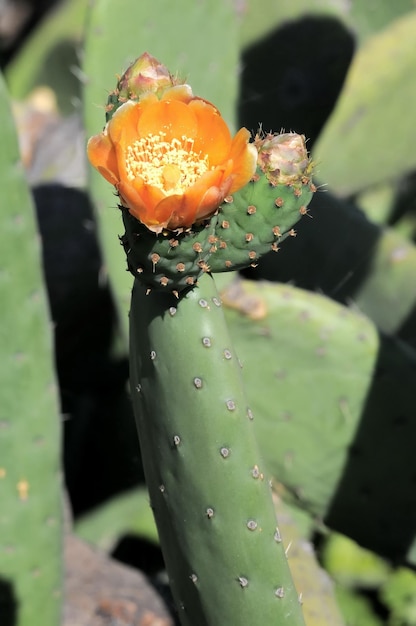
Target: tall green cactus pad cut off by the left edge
30 513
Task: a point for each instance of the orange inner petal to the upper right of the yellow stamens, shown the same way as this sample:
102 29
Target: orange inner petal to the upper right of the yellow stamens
214 137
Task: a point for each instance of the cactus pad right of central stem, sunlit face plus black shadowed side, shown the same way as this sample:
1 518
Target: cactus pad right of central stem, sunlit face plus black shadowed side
337 432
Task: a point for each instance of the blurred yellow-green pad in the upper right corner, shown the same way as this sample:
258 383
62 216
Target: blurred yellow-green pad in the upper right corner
370 115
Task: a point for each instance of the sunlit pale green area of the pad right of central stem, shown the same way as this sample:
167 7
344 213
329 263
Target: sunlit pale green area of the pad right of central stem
308 397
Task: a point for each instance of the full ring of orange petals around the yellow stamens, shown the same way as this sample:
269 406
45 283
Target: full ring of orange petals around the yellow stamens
177 114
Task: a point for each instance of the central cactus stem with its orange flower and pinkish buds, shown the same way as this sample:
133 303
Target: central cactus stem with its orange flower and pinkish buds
173 161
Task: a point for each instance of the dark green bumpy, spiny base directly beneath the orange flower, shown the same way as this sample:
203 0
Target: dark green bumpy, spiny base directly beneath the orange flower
170 261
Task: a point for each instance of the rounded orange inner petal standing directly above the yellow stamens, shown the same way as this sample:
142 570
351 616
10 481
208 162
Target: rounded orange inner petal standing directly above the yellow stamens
168 116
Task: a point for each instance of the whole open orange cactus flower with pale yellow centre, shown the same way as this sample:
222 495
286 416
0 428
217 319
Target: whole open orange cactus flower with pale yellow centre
172 160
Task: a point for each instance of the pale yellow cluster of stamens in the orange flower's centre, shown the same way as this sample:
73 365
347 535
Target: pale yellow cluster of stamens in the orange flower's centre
171 166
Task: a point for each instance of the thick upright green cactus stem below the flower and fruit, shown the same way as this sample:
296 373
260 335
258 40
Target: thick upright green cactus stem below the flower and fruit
211 500
